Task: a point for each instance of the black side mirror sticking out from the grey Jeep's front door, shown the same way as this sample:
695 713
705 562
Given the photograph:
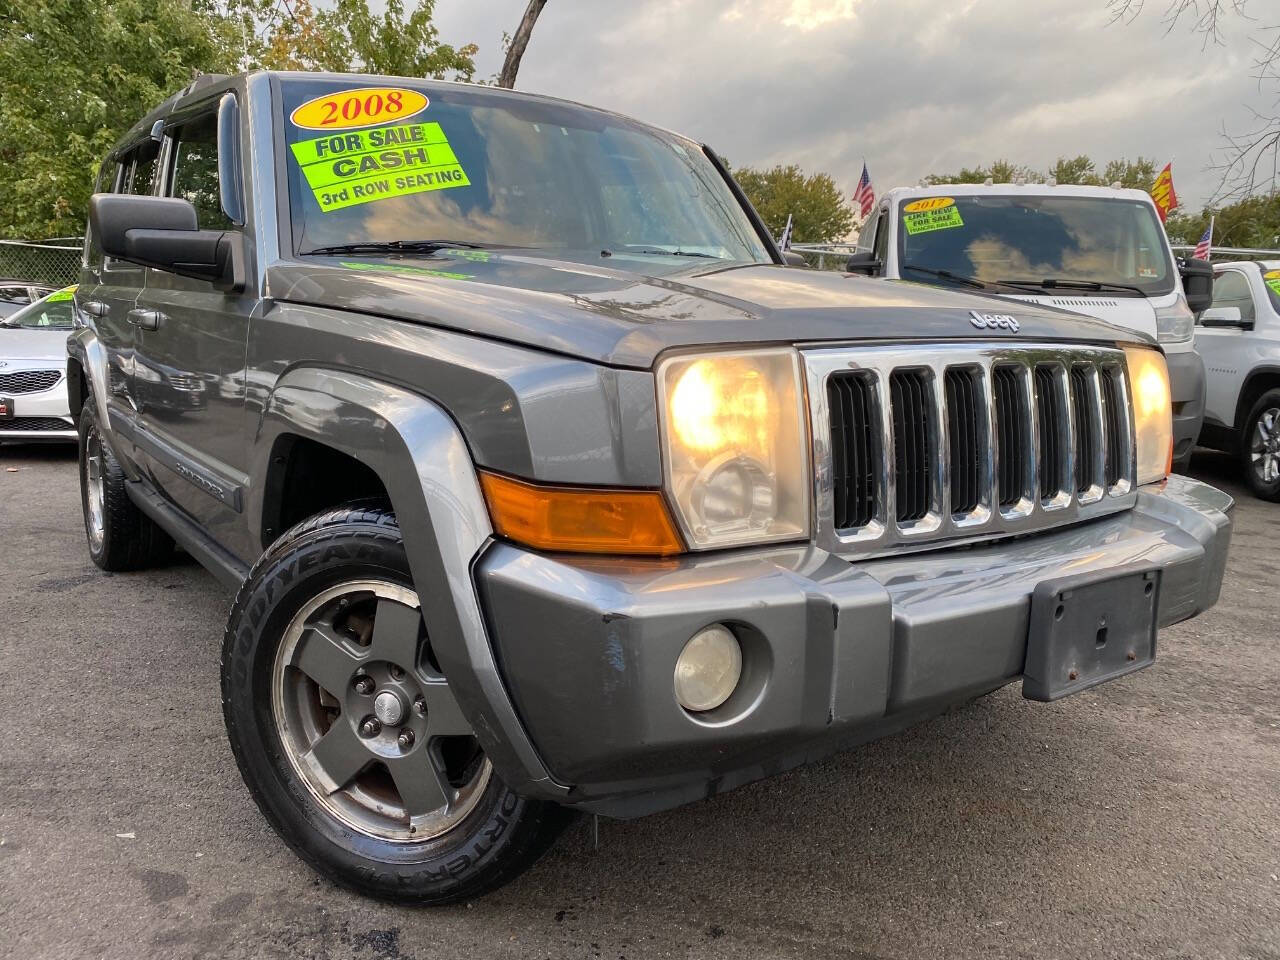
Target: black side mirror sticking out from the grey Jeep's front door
163 232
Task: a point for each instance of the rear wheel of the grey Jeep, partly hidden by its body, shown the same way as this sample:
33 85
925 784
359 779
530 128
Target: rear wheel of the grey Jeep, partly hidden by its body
120 536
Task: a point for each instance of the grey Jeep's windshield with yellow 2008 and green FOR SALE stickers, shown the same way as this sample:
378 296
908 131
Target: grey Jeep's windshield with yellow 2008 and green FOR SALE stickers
479 168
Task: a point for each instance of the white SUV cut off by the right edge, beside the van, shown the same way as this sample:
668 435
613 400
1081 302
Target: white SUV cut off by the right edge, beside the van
1240 340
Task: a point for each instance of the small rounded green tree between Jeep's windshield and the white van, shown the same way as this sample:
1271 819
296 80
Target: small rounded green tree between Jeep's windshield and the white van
819 208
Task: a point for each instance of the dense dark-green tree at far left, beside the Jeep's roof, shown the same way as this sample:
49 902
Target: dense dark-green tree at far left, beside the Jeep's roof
74 77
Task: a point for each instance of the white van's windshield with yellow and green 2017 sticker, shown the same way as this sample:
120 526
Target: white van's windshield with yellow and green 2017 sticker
1032 239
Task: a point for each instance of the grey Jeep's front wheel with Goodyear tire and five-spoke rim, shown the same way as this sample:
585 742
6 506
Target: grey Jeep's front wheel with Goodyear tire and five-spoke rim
346 732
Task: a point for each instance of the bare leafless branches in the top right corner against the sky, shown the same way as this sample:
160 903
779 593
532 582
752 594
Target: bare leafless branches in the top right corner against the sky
1251 157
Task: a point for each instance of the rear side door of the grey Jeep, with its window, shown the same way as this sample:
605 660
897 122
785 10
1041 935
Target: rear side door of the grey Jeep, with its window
109 290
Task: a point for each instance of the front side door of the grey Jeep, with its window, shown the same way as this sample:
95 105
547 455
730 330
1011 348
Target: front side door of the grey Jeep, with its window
193 344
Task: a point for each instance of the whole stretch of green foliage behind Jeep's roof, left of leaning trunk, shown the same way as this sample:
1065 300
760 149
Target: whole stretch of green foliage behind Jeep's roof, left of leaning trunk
76 75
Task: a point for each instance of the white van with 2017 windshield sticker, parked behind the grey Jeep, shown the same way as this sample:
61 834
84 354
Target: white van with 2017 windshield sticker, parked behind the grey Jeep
1091 250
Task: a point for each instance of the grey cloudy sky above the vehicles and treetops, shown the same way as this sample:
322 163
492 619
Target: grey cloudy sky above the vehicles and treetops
916 86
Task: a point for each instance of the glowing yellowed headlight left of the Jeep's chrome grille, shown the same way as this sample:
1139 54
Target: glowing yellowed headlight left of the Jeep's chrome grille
735 447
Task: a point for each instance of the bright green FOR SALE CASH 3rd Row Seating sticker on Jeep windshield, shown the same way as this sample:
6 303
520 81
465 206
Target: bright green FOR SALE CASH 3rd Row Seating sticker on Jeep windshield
359 167
